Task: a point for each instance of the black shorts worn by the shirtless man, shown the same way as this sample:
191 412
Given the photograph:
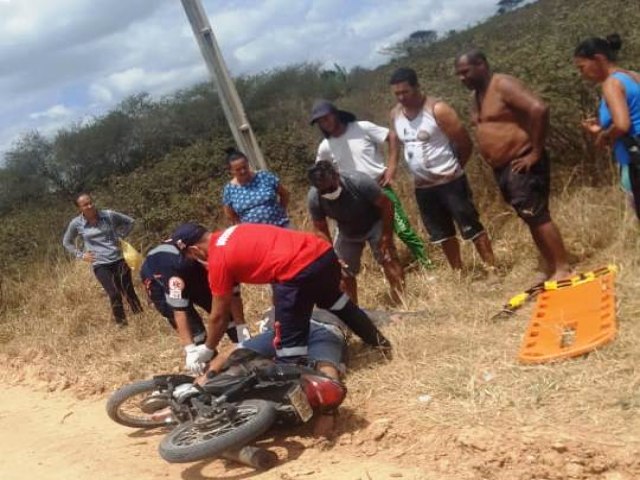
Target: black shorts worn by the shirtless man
527 192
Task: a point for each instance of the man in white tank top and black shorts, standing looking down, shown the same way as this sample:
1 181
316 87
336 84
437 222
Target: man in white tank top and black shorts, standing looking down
436 148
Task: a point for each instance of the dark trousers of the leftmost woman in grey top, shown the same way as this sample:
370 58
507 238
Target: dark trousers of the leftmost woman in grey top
116 280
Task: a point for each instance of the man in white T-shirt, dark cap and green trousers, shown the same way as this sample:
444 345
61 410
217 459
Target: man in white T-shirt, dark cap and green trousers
357 146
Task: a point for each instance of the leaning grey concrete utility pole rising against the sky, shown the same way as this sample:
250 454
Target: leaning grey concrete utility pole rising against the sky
231 104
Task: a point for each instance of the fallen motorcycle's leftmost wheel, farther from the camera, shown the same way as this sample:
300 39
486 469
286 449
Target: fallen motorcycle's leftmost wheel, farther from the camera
126 406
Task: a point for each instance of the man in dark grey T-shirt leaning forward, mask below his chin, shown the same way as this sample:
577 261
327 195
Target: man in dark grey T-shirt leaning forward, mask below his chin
364 214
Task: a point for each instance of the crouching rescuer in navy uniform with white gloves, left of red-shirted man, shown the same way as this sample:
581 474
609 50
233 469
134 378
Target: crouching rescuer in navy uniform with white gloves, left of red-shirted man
175 285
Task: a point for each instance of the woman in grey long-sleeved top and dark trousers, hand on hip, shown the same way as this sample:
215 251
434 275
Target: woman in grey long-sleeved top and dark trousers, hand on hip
100 231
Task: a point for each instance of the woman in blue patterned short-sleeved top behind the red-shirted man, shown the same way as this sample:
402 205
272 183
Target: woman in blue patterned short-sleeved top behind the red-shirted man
254 197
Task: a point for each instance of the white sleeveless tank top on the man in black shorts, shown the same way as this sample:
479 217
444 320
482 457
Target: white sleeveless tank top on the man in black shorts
427 150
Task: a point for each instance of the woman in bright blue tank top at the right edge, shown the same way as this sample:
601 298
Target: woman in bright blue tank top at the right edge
618 122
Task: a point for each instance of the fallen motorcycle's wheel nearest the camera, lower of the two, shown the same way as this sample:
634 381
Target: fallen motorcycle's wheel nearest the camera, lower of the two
205 438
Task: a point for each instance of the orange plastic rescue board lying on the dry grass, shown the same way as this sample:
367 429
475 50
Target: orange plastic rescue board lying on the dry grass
571 318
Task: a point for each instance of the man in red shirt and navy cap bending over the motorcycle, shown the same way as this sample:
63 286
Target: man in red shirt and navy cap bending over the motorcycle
303 269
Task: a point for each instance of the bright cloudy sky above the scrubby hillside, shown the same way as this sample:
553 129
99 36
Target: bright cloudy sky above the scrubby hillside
62 61
